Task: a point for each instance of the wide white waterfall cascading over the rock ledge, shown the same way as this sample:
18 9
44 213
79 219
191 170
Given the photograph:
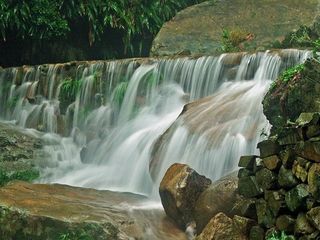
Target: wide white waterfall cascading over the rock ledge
105 137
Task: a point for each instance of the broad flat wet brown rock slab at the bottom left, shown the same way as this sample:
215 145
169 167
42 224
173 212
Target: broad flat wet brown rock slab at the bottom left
40 211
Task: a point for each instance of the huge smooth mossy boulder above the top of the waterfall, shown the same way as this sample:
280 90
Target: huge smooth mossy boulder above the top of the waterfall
198 29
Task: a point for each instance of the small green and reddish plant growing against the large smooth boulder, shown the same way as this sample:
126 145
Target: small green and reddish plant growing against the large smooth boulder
231 40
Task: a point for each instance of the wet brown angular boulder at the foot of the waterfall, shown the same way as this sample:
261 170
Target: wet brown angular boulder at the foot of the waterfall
179 190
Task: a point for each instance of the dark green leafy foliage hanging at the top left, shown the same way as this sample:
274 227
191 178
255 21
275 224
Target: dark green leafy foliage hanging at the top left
49 19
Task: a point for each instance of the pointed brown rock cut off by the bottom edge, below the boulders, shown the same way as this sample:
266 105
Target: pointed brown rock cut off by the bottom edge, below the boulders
220 227
